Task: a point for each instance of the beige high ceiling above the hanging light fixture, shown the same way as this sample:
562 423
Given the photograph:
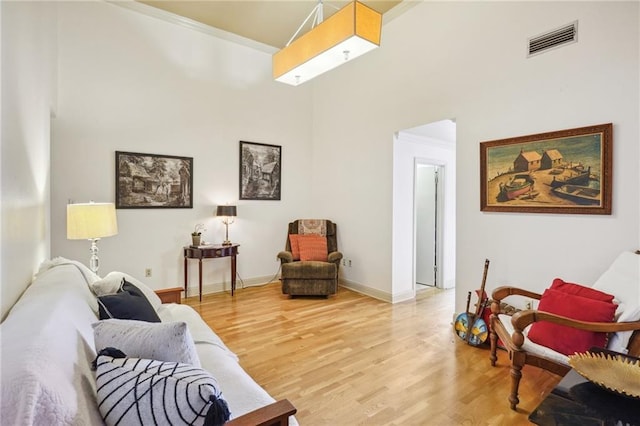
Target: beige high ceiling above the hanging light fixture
271 22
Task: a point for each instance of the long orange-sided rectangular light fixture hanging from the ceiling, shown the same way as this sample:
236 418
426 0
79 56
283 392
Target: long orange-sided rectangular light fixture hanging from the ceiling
350 32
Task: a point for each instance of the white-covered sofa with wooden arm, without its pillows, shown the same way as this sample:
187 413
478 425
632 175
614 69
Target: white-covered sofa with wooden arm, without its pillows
48 346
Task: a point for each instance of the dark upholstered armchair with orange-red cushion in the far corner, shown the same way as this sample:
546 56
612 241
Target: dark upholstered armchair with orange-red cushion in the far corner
311 259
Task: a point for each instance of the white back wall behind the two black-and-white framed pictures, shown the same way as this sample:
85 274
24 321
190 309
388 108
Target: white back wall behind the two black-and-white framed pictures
130 82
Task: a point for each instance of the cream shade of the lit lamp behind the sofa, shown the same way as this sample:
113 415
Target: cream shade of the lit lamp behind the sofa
91 220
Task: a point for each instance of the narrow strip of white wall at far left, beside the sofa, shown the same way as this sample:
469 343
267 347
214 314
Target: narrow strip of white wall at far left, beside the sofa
28 92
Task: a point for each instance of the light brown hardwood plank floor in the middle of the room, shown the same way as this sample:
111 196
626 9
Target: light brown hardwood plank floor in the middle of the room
354 360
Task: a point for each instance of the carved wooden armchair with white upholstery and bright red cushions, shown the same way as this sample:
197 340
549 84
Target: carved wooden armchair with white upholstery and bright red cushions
570 318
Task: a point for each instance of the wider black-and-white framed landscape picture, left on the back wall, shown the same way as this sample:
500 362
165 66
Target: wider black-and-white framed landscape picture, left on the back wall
153 181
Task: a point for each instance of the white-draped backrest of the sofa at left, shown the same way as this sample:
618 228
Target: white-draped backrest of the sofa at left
47 349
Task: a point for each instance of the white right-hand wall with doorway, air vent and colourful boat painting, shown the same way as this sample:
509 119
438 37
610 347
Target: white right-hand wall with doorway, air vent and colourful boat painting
468 60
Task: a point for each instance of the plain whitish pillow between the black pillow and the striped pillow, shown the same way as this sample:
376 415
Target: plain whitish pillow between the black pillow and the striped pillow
169 341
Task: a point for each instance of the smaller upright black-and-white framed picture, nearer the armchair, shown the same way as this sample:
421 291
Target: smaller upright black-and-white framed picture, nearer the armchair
260 171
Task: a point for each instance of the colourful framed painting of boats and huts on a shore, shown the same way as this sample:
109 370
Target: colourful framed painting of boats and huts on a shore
566 171
